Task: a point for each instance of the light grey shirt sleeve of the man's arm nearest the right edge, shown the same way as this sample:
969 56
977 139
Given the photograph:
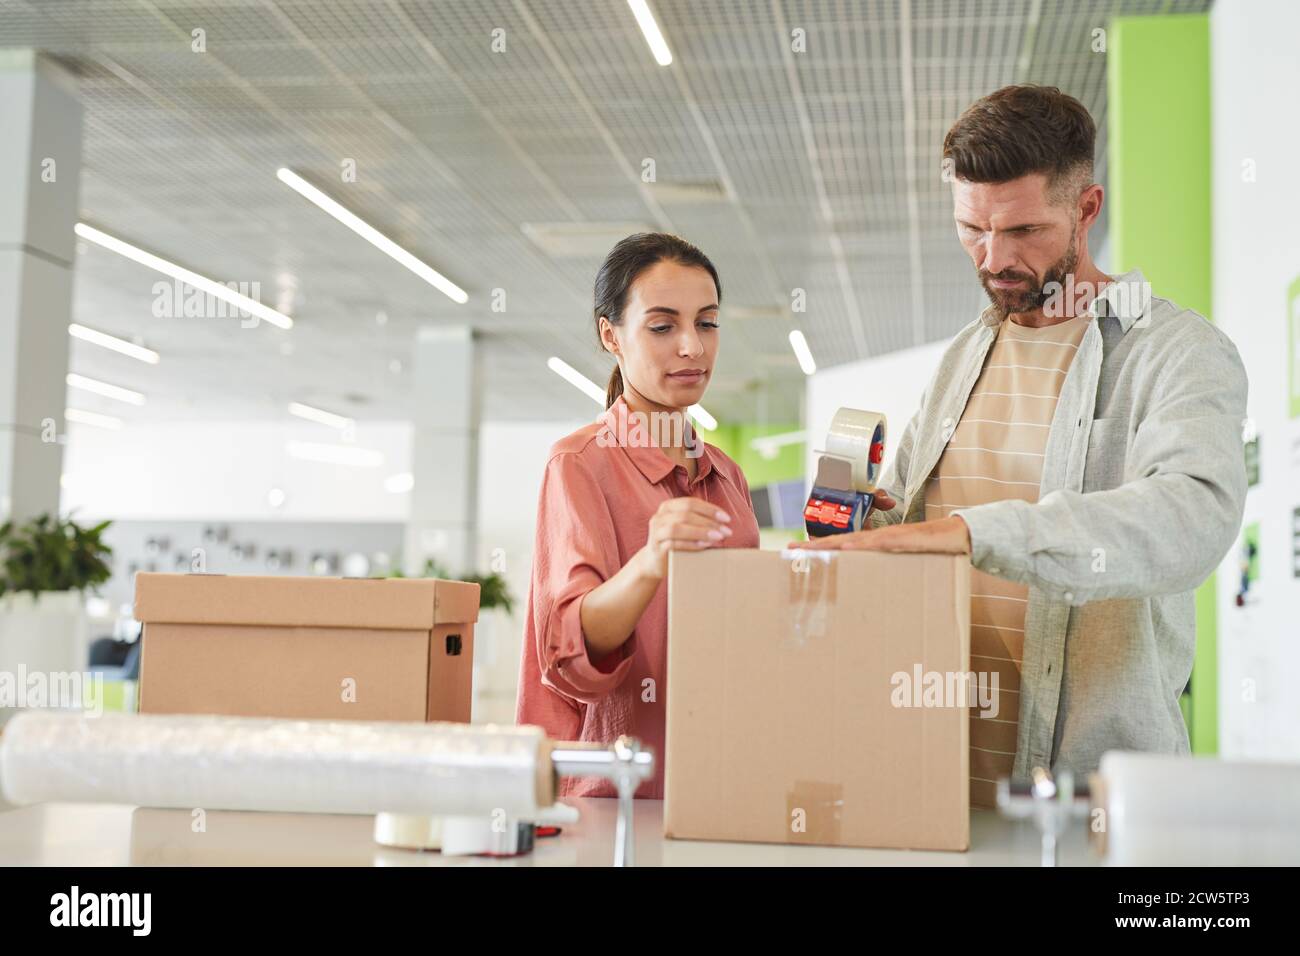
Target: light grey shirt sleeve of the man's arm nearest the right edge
1162 533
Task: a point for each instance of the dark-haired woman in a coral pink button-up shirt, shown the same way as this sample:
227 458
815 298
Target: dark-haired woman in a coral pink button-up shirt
618 496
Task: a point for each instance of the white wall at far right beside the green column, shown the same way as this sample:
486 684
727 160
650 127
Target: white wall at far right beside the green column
1255 79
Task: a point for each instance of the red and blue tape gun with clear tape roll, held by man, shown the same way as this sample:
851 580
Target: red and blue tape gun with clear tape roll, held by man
847 474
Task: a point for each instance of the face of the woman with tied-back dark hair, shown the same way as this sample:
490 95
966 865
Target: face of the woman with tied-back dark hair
669 340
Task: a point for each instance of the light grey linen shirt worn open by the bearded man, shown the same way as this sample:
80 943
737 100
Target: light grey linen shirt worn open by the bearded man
1142 496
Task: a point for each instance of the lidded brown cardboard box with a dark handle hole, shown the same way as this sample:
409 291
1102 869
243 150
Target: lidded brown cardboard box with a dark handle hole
285 647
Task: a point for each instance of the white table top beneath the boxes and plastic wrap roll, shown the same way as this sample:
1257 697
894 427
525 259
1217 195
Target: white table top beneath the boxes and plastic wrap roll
101 836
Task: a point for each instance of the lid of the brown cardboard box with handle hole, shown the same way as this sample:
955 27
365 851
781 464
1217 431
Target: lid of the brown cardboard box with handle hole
365 603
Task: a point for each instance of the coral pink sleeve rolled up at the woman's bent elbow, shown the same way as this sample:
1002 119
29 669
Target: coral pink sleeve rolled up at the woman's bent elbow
577 552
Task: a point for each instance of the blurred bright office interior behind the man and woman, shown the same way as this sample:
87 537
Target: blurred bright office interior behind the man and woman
372 418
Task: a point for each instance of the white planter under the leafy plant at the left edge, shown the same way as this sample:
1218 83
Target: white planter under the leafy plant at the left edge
47 634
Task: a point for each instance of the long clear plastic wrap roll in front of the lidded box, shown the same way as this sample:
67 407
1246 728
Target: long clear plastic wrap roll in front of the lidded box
255 764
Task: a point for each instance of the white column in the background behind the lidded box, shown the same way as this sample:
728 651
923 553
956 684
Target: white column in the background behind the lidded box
445 413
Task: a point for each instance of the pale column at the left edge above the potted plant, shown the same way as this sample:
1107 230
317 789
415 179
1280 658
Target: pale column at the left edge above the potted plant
40 172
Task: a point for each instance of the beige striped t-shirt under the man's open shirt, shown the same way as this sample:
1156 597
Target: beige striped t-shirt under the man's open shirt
996 453
